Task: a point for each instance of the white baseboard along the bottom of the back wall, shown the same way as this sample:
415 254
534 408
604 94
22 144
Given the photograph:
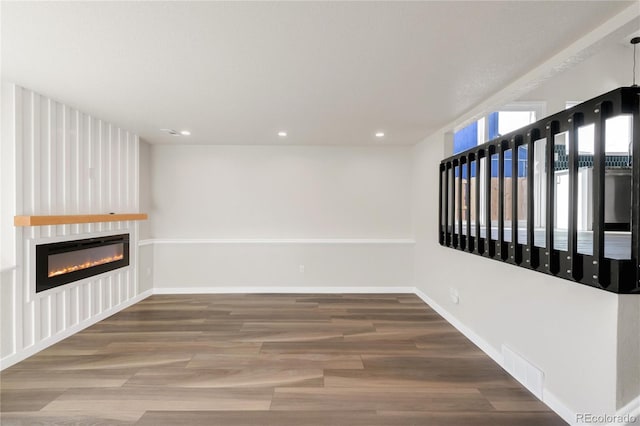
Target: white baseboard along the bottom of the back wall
284 289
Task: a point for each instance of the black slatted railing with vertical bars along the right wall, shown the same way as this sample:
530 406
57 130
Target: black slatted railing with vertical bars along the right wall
557 209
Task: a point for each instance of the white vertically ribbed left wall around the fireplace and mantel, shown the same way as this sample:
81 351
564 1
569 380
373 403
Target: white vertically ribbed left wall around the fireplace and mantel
66 162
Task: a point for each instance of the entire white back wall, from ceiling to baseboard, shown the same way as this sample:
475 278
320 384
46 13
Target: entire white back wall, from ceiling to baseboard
252 215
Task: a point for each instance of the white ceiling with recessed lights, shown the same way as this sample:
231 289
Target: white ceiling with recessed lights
326 72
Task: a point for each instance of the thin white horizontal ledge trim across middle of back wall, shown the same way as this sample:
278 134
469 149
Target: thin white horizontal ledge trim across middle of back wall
150 241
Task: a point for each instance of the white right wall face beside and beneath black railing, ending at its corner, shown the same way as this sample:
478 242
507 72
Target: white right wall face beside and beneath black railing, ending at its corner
566 329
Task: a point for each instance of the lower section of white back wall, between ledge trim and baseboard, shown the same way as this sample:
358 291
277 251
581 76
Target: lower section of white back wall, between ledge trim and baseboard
202 264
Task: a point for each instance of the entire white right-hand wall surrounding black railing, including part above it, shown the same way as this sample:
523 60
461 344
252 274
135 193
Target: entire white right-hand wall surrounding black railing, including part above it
586 341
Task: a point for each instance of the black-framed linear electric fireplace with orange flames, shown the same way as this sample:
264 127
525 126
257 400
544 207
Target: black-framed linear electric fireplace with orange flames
68 261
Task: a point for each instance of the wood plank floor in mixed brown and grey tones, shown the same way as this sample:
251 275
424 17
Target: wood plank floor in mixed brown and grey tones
264 359
